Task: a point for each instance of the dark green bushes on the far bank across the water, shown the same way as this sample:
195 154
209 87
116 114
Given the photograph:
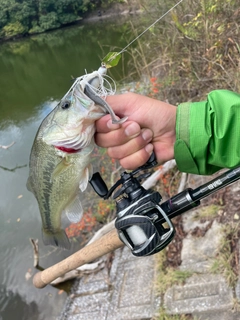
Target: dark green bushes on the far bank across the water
20 17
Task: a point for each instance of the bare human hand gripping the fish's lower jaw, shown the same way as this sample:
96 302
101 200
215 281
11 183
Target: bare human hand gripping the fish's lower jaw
150 127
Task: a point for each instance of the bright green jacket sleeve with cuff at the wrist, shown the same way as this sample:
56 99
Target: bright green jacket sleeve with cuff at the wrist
208 133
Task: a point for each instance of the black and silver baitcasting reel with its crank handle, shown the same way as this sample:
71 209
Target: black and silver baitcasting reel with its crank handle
141 223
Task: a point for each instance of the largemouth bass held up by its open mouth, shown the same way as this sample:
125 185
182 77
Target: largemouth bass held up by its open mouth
60 156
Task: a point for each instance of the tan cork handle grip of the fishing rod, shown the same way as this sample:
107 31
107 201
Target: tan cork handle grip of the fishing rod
107 243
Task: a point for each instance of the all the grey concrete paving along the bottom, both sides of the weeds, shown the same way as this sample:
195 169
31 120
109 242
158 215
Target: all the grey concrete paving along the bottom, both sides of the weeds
126 291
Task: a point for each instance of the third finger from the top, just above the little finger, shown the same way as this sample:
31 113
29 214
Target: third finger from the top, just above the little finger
132 146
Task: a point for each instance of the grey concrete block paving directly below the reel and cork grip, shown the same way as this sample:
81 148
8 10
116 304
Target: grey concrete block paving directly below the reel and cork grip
124 293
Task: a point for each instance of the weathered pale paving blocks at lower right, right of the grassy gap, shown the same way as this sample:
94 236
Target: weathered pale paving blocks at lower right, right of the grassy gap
206 296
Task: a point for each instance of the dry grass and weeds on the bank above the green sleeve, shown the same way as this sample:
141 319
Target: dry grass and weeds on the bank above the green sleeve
190 52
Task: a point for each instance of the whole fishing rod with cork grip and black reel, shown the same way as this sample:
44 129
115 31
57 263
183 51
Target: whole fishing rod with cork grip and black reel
143 223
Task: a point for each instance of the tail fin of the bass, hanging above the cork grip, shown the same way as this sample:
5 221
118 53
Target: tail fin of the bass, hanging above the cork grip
58 239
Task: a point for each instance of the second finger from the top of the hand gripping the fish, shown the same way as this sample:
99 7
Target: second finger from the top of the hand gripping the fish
126 132
